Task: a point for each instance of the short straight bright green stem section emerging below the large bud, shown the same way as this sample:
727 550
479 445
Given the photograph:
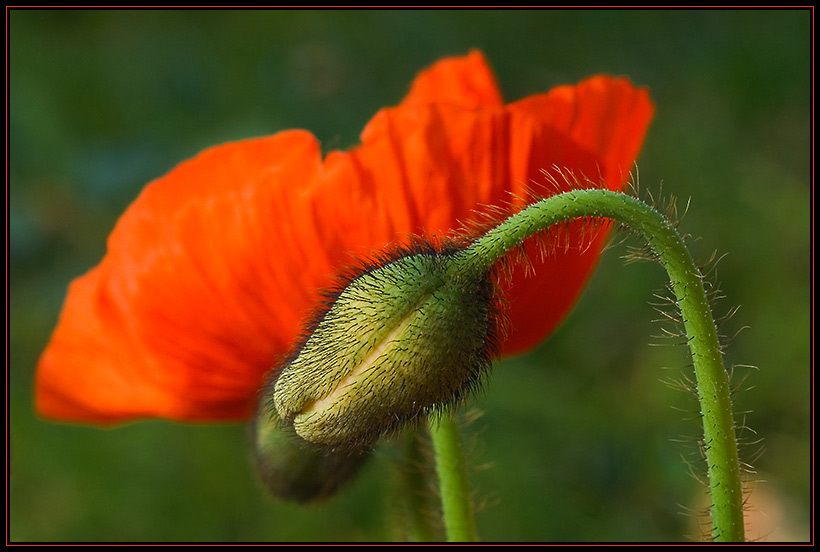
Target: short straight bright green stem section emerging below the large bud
456 504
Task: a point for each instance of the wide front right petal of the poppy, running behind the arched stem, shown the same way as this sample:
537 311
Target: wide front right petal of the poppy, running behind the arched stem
424 169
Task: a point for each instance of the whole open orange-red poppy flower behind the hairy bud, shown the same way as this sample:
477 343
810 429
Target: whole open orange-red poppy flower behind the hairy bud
210 272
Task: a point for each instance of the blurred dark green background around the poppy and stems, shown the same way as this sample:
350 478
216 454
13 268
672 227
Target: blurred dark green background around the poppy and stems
580 440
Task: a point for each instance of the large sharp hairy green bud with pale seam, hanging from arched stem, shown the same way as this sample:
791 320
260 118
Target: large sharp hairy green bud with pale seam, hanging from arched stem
403 338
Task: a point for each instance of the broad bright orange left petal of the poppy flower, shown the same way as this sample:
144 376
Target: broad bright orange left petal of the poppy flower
202 288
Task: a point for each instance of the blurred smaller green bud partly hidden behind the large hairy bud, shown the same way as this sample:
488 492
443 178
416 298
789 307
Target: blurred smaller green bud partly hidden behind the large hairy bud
294 469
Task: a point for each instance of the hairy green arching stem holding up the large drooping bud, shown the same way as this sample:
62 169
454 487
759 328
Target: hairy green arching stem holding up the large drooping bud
712 380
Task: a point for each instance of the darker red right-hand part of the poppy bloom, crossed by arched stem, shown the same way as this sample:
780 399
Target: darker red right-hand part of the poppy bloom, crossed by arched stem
594 129
